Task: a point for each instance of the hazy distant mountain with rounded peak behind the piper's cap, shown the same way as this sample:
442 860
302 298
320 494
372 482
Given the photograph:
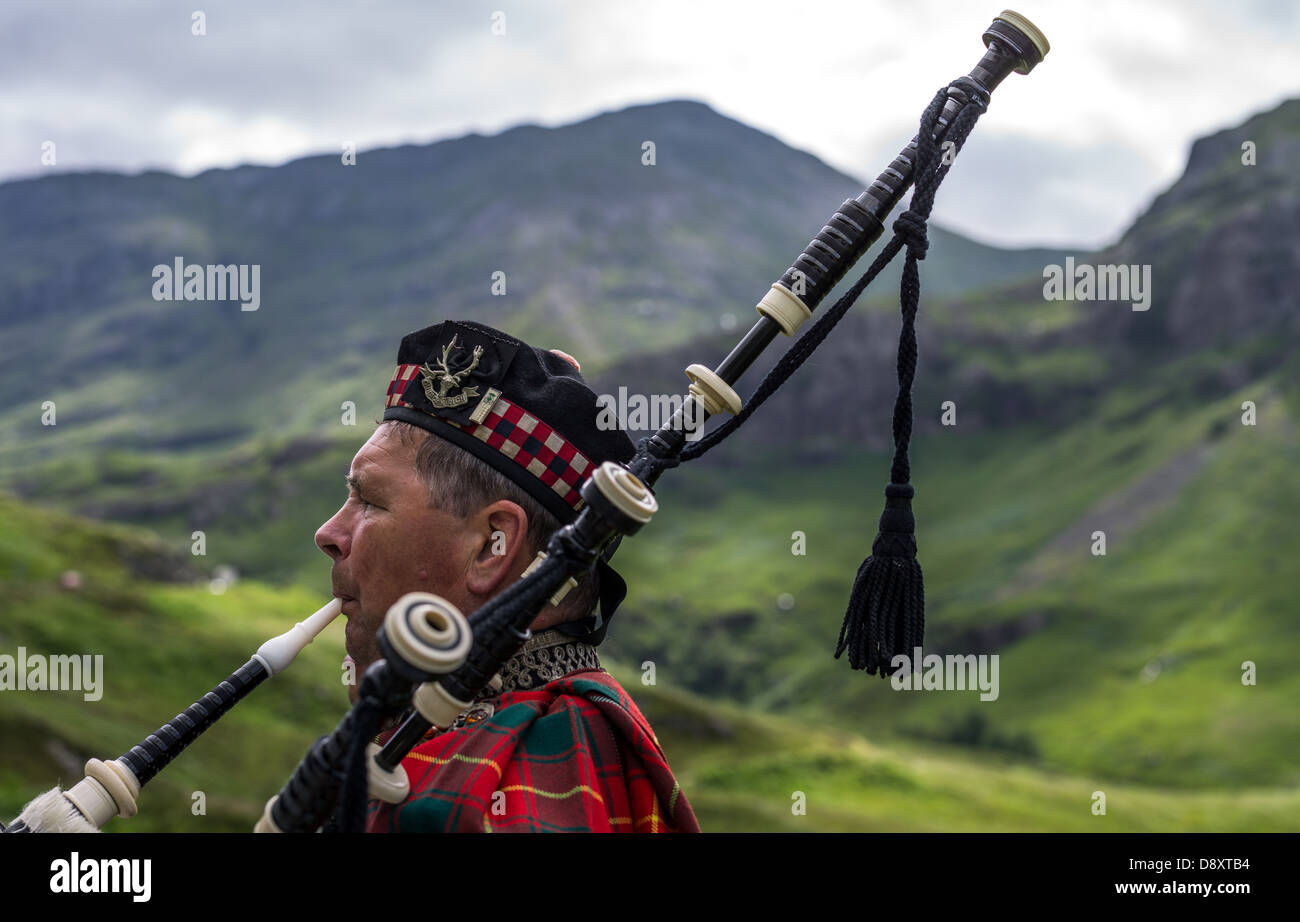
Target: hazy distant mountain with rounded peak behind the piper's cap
601 254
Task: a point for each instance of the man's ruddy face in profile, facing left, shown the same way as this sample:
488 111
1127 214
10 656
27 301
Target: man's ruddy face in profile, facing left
387 542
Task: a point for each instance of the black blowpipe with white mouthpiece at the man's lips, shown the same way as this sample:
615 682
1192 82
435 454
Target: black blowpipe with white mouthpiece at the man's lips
111 789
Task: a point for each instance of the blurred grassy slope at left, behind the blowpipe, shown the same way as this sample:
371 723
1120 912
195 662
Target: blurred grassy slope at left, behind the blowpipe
164 647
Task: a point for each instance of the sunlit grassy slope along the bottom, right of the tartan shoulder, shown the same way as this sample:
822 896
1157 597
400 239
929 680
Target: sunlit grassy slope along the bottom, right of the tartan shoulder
742 771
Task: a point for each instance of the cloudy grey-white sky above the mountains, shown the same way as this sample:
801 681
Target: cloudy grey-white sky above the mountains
1068 155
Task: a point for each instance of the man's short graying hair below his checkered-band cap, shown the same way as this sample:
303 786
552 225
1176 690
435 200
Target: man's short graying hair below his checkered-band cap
462 484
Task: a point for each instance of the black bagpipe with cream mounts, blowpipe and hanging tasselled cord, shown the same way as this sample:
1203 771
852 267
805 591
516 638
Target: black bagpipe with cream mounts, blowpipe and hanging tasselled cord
436 661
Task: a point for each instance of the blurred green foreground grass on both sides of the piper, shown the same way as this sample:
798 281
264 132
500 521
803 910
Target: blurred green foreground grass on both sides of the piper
166 644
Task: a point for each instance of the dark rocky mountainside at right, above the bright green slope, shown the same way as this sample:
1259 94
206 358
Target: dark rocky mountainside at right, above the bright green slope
1224 249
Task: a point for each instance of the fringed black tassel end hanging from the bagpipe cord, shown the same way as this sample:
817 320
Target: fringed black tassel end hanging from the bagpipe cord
887 608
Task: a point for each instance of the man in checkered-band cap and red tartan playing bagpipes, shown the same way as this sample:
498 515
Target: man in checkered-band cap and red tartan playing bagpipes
484 447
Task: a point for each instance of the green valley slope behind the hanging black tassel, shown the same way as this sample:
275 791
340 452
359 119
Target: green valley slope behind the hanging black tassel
1137 673
